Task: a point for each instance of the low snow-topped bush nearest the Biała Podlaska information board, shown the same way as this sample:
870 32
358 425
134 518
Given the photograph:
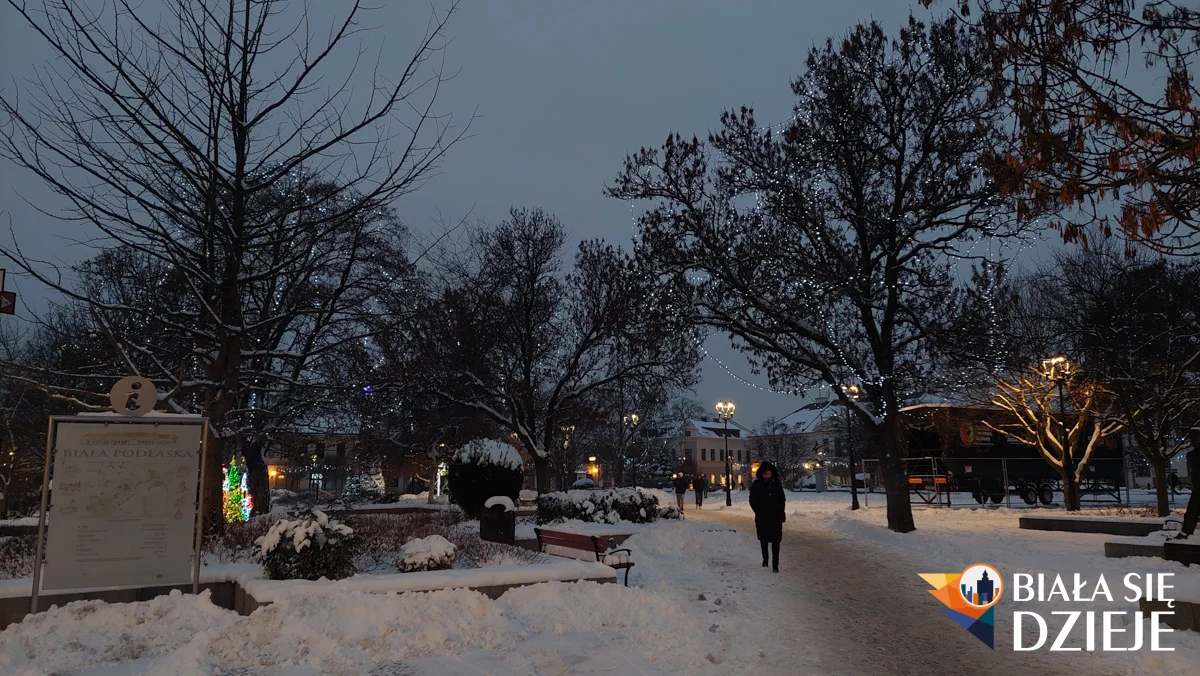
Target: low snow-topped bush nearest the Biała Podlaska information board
310 548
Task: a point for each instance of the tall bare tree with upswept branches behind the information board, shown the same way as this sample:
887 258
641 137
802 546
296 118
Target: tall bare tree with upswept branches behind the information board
201 143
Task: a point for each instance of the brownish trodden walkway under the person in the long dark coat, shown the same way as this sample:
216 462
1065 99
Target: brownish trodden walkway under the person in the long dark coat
848 607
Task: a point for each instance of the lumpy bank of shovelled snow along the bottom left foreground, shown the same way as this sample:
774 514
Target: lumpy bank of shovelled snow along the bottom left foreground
350 633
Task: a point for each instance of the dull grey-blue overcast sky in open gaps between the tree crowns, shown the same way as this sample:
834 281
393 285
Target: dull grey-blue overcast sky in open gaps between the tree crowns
563 91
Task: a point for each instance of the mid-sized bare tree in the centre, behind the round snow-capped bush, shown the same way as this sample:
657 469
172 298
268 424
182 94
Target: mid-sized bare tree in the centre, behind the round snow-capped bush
527 345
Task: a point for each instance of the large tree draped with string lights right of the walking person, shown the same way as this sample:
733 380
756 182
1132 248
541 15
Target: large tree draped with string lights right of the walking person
825 248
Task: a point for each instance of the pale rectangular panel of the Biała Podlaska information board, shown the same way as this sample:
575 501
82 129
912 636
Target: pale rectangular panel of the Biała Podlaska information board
124 504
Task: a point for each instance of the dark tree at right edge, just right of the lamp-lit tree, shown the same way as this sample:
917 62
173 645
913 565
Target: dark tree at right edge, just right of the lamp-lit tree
1132 324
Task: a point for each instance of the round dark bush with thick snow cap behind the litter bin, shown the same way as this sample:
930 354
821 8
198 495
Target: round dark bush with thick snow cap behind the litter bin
484 469
